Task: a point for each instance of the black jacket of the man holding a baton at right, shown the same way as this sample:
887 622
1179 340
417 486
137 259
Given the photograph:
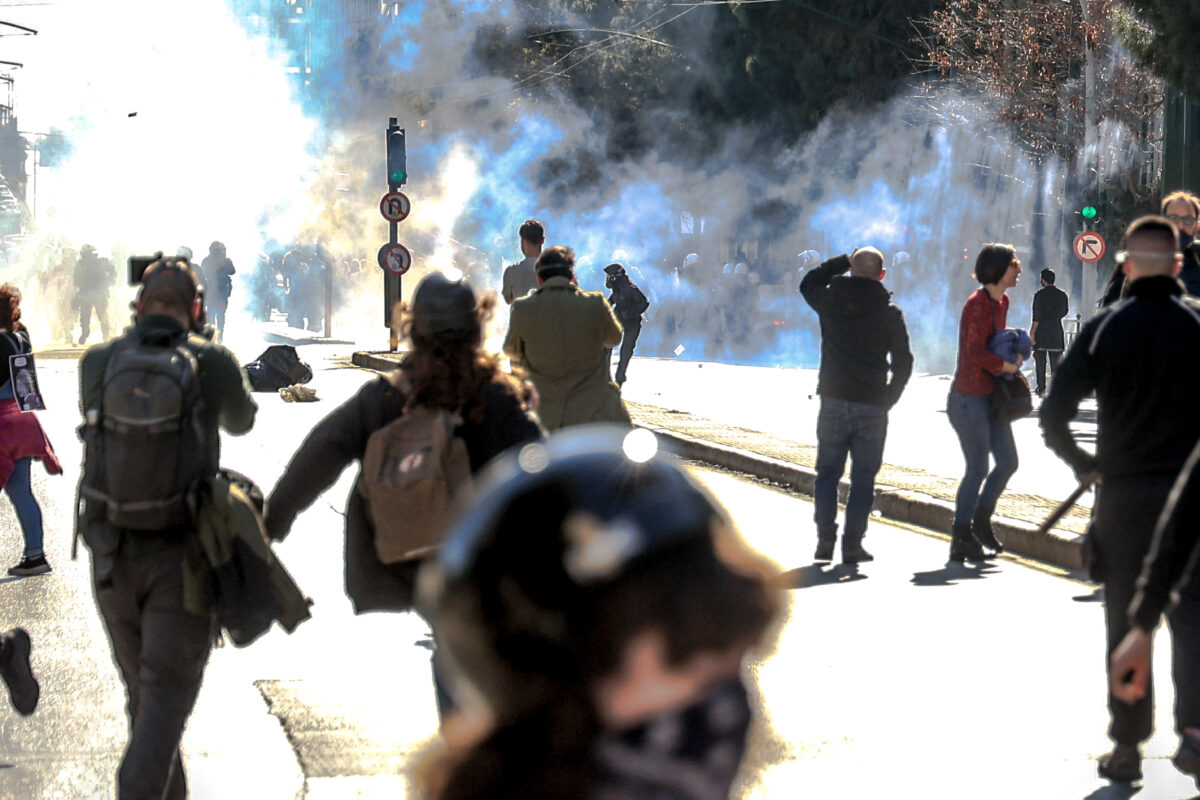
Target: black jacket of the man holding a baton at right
1137 357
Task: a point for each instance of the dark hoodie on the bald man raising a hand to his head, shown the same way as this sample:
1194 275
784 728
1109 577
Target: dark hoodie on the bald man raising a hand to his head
861 328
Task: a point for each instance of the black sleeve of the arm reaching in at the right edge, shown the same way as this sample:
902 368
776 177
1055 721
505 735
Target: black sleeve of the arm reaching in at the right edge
1175 554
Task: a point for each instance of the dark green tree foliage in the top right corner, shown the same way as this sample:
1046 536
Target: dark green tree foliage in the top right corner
1165 35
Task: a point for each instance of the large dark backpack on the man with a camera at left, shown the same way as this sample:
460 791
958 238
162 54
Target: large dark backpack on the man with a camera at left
146 444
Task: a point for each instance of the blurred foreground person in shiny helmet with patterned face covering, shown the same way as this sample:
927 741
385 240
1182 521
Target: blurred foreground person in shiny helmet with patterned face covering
595 606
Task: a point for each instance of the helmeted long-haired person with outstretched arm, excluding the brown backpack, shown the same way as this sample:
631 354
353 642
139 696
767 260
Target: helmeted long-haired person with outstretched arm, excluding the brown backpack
447 368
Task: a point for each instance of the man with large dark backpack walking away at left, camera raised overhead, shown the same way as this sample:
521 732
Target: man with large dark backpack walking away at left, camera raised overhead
153 401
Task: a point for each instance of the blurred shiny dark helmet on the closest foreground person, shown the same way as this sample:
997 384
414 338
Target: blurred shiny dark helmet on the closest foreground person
550 527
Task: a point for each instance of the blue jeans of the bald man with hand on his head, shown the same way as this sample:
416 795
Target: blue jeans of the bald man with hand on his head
859 430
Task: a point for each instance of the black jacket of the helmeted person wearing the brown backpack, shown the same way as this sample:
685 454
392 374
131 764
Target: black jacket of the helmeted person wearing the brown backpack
340 440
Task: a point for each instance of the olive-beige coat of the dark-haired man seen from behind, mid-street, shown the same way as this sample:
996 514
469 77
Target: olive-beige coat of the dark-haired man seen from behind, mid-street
563 336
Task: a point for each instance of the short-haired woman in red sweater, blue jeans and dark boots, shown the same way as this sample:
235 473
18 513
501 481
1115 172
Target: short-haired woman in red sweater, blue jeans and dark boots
980 429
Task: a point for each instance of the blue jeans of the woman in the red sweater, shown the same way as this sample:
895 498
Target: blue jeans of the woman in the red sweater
981 434
